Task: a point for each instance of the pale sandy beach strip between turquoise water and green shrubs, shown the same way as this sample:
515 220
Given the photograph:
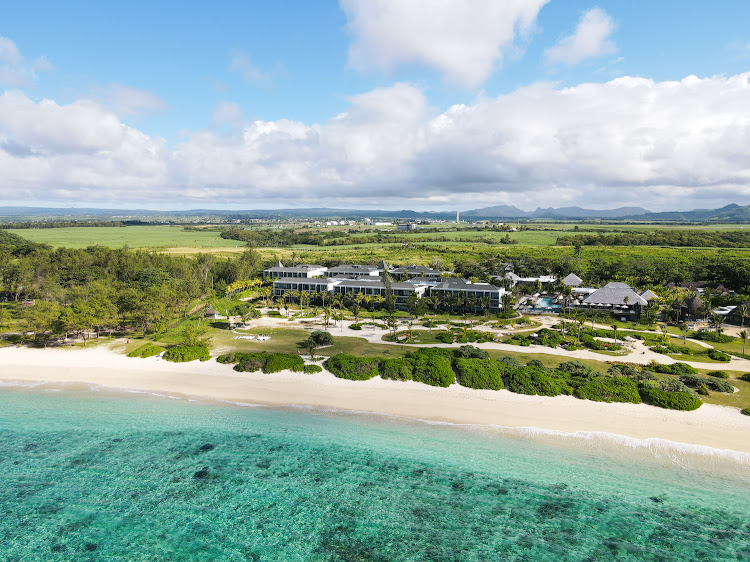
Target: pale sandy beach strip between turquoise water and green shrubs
717 427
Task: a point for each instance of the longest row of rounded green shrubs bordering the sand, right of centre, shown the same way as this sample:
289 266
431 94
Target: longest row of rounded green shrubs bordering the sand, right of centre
473 368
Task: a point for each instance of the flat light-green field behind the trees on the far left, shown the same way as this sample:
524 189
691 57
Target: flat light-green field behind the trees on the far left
154 237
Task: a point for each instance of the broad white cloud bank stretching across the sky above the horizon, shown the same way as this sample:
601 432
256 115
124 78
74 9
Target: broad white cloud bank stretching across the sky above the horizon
627 141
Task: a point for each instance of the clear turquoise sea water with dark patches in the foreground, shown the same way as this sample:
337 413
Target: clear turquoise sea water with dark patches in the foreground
93 475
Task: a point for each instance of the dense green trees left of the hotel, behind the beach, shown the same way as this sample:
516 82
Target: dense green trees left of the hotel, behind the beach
100 289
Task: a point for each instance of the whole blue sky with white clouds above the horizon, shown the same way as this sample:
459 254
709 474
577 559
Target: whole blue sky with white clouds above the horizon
375 104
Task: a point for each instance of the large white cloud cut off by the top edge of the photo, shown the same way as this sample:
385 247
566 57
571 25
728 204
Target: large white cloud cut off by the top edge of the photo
465 40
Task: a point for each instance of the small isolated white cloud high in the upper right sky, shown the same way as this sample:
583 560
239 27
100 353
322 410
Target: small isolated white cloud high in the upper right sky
591 39
